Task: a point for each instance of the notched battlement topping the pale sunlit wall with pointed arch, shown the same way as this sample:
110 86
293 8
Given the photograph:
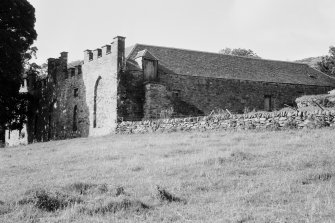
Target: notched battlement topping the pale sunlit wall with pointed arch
99 53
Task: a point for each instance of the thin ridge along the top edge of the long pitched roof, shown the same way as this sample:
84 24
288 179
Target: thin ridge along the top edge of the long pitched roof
219 54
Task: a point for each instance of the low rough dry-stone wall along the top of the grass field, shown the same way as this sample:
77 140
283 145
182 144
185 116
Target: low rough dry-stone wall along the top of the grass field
259 120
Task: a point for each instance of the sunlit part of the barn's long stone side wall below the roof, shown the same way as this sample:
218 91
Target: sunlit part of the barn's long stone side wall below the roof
208 94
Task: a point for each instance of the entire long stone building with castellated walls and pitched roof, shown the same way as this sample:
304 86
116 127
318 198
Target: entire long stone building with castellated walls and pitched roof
114 84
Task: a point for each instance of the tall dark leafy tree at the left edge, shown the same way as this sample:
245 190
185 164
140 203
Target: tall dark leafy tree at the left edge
17 34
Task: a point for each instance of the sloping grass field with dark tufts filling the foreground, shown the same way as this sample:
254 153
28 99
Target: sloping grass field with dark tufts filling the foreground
247 176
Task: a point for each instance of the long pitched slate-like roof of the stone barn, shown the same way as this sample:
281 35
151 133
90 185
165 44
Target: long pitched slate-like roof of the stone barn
215 65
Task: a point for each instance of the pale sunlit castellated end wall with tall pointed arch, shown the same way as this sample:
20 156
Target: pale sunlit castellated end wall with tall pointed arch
101 76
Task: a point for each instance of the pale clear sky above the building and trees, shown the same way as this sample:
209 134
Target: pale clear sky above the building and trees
274 29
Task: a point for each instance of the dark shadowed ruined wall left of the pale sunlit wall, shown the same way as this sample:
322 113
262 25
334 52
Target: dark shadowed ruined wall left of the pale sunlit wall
59 108
